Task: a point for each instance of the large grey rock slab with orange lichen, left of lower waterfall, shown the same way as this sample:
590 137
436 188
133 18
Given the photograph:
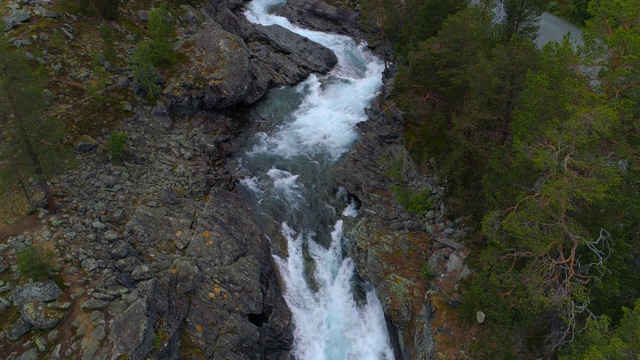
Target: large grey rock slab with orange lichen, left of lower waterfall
237 310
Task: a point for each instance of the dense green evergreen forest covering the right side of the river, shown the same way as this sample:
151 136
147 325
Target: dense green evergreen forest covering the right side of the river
538 148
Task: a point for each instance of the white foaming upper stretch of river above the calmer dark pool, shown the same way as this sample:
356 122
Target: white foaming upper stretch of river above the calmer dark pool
333 104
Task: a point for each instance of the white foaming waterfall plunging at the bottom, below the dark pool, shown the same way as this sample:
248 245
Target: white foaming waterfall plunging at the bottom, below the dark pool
329 323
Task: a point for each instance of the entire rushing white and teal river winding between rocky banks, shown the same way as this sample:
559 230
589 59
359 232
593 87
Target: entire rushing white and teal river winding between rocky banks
314 126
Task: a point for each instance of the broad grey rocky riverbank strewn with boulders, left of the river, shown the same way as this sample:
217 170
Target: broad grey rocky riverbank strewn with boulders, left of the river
155 256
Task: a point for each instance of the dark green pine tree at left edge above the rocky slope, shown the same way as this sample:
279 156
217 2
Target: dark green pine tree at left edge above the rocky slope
32 140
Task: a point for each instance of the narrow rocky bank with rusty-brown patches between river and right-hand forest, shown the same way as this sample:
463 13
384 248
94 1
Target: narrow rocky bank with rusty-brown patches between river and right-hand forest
415 260
